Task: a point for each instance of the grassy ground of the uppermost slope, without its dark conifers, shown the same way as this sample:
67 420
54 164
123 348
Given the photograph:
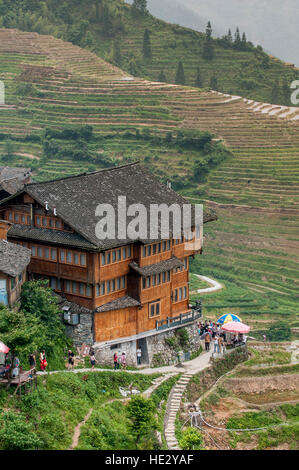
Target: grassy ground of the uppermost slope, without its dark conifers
238 72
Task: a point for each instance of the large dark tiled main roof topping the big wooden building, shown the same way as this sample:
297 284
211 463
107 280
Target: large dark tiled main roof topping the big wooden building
76 198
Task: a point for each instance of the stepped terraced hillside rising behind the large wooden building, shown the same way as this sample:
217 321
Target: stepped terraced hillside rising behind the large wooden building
54 87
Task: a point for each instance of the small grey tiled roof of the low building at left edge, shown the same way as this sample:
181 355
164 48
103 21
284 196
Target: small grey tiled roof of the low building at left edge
13 258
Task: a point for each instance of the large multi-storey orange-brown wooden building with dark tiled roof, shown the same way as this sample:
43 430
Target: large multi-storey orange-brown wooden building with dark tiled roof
129 285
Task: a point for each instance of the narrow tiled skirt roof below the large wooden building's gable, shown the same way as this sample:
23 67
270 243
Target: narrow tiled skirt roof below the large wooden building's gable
49 236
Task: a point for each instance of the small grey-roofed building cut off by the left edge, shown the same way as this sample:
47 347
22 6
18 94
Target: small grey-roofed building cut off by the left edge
14 260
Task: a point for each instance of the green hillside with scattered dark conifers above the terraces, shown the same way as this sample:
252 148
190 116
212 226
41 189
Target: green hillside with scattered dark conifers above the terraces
147 47
